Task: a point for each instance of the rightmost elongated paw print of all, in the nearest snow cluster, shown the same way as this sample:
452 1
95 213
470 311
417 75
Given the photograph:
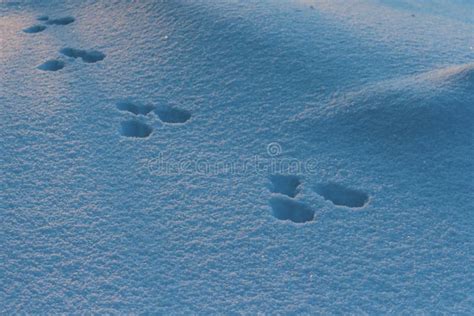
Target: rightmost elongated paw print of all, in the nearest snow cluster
342 196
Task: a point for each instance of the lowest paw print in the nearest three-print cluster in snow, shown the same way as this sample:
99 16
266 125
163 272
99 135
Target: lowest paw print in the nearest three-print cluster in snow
285 208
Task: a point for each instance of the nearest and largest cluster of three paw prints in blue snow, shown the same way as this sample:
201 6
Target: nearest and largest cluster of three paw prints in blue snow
285 188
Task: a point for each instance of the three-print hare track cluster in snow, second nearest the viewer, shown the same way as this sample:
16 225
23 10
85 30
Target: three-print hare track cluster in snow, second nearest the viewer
138 128
